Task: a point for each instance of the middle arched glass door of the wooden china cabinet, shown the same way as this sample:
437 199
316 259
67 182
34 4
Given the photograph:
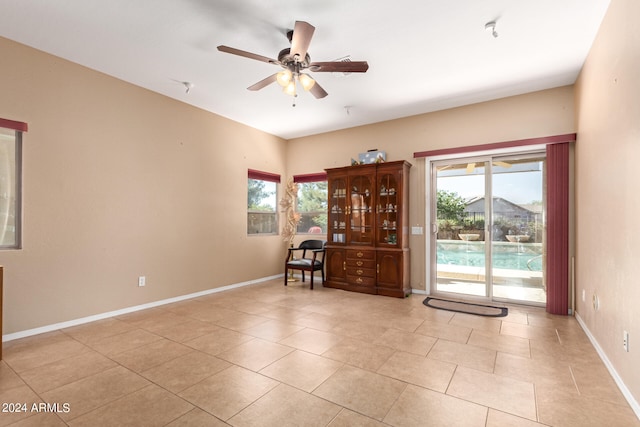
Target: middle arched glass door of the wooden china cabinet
361 210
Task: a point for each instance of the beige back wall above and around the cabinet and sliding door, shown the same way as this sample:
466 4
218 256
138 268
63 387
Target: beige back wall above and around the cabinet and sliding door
538 114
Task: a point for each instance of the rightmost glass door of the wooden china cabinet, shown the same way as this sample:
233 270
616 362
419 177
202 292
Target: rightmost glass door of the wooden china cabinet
387 211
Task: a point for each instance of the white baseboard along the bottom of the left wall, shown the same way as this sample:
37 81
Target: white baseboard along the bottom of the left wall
75 322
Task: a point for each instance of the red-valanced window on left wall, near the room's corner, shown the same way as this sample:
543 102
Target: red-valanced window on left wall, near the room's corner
262 196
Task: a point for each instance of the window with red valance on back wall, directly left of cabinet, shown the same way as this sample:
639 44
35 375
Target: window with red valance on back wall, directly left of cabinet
312 203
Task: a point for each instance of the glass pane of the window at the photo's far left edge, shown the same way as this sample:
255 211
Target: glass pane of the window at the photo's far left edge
9 198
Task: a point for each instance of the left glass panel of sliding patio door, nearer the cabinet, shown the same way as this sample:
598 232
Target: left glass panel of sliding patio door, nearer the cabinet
460 245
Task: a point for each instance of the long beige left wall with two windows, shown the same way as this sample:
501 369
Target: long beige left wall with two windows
121 182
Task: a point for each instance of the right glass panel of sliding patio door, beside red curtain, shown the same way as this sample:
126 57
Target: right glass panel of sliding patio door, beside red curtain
518 229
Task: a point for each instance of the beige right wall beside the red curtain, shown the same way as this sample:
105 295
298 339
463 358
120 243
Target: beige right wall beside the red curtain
607 179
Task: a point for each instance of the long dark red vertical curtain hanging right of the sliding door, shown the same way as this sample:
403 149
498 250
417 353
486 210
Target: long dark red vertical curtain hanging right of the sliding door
558 228
